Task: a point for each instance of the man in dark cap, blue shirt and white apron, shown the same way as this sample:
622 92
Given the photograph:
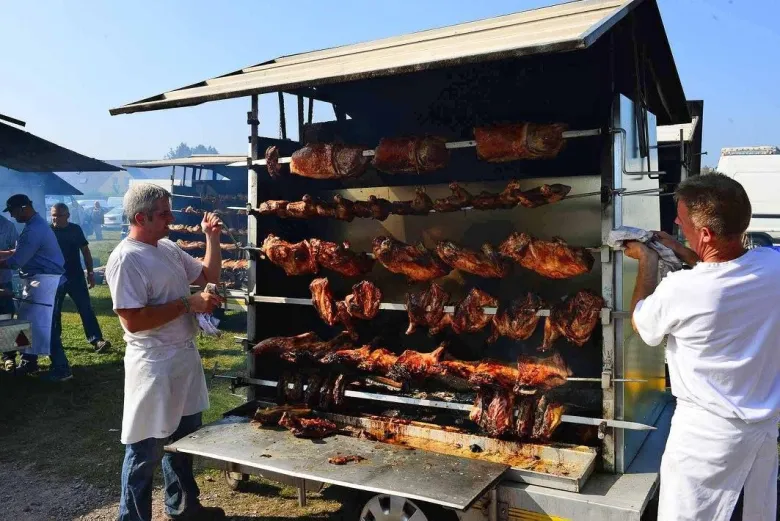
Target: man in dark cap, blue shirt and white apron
41 267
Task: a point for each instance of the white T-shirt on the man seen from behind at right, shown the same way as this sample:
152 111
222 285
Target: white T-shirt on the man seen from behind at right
723 322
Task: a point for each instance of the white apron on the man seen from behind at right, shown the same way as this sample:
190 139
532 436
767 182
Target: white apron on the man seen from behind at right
707 462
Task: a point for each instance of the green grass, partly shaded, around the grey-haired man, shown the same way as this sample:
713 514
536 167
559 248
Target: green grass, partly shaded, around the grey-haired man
72 428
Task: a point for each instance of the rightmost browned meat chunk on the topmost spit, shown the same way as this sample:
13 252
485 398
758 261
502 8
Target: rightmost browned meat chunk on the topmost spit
502 143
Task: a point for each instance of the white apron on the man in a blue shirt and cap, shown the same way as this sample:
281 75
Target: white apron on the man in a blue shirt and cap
37 290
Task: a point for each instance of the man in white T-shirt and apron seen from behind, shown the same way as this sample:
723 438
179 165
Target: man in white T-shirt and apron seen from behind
722 319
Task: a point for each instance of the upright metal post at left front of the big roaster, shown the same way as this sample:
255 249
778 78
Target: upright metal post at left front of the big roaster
252 237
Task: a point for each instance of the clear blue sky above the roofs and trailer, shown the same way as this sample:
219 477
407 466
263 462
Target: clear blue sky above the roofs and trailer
64 64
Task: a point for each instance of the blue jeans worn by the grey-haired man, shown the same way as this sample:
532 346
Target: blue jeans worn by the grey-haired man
141 459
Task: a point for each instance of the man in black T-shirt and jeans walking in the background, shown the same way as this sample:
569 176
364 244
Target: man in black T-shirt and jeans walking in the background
73 245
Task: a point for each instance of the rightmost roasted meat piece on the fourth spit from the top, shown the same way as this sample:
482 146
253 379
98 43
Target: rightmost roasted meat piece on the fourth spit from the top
575 319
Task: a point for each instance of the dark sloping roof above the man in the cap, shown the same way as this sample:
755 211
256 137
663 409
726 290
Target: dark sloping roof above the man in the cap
25 152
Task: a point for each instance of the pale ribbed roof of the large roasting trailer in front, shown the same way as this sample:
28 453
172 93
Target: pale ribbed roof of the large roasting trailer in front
563 27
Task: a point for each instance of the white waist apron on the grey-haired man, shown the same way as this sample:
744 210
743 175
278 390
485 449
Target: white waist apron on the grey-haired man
162 384
